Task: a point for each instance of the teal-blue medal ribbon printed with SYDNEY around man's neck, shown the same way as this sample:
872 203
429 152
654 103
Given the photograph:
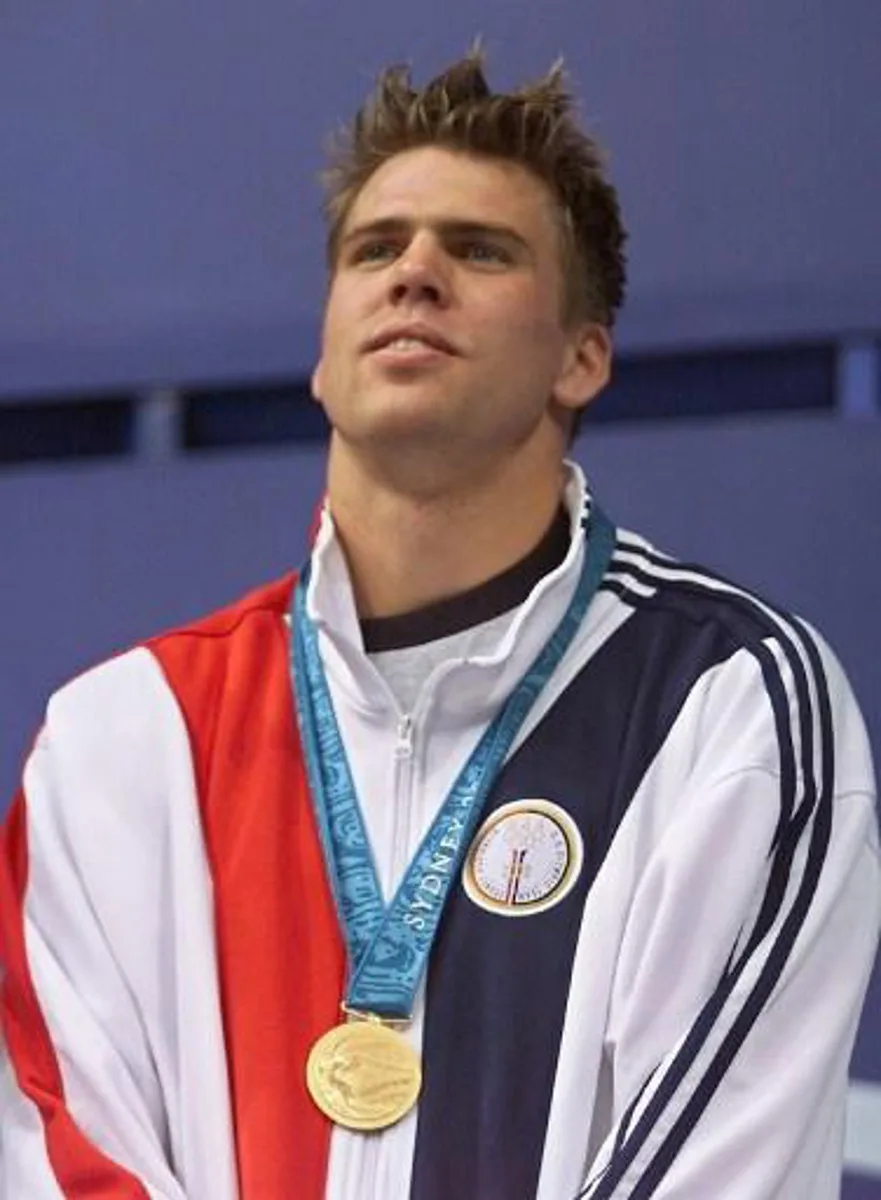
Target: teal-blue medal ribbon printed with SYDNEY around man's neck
389 947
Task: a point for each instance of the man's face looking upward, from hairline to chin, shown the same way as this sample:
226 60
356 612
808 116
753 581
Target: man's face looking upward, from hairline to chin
444 325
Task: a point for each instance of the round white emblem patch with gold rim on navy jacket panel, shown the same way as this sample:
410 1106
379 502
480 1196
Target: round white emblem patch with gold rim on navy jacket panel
525 859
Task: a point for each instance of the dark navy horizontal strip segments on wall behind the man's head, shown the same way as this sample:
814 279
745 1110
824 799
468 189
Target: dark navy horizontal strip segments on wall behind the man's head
708 385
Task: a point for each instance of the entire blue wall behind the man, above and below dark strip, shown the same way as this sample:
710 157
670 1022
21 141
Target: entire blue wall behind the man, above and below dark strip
159 225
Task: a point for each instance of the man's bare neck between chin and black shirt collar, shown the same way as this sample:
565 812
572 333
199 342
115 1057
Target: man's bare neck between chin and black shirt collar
410 549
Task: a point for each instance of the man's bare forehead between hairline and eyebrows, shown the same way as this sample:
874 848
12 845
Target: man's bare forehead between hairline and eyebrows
433 185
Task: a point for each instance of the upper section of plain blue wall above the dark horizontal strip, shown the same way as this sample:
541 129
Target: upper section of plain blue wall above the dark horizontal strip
160 215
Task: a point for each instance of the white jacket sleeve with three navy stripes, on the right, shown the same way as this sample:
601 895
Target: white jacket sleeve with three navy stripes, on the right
748 946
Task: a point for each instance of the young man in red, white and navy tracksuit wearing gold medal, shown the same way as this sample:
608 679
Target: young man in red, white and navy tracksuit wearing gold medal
499 857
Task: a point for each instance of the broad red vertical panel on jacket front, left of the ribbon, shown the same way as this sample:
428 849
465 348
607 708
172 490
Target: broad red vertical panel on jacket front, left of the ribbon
281 957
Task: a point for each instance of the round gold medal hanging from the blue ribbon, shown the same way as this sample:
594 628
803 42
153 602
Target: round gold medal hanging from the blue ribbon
363 1075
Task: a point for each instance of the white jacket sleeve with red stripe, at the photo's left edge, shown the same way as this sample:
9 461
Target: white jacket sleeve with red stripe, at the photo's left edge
83 1107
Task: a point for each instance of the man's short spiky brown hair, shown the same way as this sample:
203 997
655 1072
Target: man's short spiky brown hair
534 127
